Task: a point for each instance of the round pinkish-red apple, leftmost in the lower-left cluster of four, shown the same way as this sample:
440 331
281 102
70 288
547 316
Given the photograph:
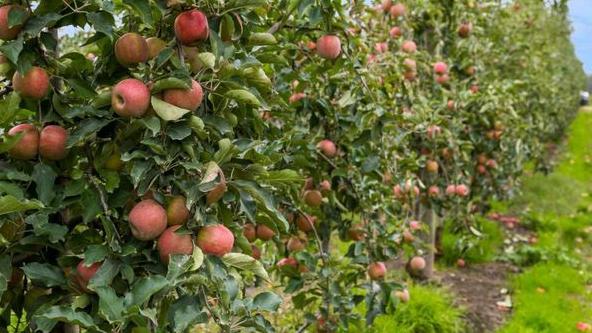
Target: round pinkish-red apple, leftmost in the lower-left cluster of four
147 220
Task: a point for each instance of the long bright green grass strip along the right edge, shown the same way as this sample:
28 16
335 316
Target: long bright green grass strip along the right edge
552 296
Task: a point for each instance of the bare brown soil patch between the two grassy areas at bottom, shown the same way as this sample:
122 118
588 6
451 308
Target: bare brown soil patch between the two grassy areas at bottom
482 291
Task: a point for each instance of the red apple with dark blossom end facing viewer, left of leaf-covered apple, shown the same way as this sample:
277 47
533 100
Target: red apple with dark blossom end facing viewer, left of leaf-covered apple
130 98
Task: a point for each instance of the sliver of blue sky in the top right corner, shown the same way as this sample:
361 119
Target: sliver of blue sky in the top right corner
581 17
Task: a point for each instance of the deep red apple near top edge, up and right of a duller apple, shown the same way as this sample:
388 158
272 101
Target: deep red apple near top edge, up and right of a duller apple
191 26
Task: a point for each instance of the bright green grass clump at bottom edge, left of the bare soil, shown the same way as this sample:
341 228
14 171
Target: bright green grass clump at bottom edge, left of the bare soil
430 310
